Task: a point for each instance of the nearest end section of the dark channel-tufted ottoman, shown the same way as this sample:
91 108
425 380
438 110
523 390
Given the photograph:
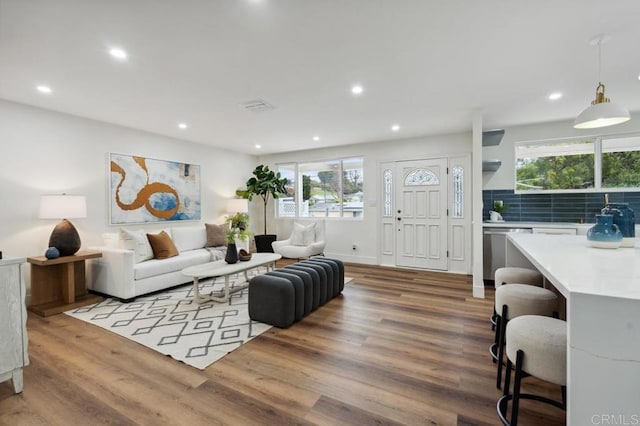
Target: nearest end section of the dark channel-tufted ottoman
272 300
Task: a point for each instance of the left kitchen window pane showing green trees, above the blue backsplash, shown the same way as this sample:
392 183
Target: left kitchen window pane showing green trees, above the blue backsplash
555 165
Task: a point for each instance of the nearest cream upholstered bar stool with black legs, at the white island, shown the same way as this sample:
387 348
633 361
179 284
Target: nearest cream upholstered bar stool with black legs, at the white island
538 345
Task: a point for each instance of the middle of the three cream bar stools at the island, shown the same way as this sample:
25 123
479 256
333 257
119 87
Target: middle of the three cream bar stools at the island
515 300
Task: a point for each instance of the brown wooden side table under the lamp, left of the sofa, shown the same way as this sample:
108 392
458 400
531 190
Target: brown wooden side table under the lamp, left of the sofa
58 285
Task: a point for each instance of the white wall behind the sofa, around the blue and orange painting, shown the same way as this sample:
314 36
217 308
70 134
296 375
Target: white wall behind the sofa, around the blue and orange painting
45 152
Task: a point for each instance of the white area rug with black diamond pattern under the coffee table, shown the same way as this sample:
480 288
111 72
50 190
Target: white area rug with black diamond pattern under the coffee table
173 324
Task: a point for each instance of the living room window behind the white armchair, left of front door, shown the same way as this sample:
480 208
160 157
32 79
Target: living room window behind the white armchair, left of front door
331 188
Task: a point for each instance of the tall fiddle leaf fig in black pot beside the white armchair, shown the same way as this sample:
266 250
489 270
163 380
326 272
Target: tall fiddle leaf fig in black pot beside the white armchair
265 184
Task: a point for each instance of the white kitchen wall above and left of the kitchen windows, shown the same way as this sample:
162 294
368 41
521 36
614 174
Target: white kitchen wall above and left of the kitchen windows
504 177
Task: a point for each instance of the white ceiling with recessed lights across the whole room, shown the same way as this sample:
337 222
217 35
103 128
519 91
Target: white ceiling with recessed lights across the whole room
424 64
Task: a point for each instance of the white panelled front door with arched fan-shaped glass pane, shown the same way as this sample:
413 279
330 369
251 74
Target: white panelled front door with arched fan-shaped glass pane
421 213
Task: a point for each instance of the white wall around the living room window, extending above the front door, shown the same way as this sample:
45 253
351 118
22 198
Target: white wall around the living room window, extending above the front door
342 234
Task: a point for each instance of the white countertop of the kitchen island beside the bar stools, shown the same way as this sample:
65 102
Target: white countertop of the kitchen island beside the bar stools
575 267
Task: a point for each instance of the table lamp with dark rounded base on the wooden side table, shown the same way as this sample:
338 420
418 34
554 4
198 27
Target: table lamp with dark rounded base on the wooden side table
64 236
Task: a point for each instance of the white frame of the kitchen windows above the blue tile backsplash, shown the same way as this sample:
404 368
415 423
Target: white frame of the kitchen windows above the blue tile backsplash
597 166
